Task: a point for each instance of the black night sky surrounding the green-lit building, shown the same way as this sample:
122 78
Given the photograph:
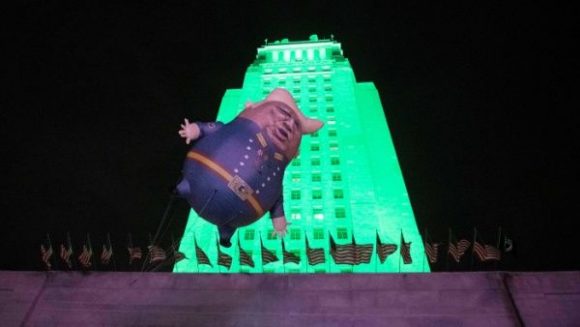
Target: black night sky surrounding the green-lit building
478 101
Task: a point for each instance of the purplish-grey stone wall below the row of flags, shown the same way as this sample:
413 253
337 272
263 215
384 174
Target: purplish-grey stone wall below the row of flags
166 299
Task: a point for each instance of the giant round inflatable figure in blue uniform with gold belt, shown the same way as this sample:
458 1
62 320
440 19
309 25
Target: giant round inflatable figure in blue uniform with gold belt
233 172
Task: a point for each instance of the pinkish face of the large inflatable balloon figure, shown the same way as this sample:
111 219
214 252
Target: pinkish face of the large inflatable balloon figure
280 122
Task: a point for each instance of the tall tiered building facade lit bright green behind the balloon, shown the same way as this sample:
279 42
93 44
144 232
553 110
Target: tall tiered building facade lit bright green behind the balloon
346 182
